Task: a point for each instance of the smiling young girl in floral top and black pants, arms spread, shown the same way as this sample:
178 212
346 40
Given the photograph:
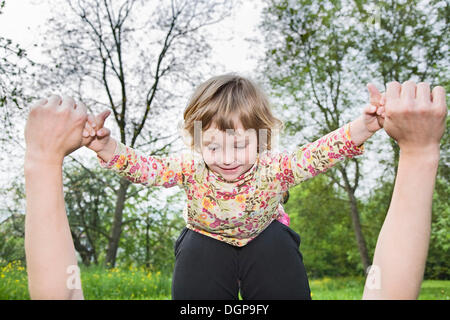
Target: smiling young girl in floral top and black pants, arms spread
235 182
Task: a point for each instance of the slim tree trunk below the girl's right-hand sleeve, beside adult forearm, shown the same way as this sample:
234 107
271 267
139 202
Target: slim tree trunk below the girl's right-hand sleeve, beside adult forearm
356 223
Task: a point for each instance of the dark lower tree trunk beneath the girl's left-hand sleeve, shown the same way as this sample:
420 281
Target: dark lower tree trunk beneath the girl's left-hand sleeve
116 229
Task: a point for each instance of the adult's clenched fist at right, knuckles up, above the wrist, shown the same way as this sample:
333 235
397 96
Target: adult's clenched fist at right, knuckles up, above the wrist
415 116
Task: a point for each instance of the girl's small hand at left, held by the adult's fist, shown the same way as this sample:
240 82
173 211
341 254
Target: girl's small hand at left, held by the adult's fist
97 137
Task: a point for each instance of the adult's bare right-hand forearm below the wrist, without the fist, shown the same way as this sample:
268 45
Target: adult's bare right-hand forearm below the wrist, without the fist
402 246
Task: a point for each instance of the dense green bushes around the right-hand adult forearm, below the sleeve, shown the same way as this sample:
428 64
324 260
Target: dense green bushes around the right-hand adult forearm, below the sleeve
320 215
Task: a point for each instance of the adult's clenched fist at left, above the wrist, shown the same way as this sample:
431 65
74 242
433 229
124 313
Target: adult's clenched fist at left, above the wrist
54 129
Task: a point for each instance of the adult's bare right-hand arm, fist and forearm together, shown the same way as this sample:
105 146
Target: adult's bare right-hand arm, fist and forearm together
417 123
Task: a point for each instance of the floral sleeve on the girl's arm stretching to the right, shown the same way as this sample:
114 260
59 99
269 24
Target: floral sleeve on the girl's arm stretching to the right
316 157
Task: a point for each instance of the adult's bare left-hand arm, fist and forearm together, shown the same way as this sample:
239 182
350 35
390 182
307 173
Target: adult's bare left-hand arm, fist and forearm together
53 130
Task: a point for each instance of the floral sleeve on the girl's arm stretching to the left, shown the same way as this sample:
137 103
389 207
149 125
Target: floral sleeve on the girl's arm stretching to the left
150 170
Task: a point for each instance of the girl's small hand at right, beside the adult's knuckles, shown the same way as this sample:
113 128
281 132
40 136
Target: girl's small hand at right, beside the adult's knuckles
373 114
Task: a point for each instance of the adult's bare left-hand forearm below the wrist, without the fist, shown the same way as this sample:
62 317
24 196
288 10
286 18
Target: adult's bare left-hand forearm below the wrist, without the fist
48 242
